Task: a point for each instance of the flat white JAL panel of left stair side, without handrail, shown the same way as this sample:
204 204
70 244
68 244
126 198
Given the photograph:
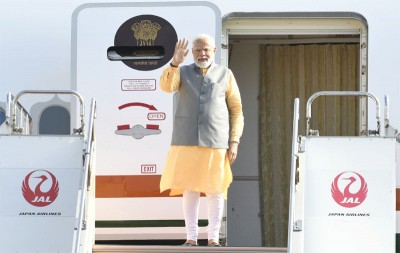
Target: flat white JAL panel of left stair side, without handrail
39 183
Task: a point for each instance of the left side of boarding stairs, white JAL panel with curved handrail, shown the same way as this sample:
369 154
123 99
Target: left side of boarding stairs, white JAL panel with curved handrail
46 183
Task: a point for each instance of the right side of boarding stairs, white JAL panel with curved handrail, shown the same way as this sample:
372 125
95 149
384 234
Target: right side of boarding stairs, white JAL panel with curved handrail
343 187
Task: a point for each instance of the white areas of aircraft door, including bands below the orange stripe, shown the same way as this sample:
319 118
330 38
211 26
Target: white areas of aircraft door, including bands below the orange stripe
134 116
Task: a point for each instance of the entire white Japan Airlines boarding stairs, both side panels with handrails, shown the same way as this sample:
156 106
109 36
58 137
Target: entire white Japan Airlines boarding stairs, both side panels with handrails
342 189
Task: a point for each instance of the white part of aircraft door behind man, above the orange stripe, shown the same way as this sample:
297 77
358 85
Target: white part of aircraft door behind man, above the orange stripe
125 95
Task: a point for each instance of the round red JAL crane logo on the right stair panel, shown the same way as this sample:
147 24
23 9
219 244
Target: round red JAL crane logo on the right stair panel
354 189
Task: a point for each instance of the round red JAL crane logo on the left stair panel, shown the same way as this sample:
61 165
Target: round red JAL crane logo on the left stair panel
45 190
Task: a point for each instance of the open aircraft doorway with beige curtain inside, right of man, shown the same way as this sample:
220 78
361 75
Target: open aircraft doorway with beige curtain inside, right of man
276 60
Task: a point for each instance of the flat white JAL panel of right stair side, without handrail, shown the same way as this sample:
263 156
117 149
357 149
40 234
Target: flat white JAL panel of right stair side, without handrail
362 219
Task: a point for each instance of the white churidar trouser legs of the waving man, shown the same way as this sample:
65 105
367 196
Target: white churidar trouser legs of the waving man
215 206
